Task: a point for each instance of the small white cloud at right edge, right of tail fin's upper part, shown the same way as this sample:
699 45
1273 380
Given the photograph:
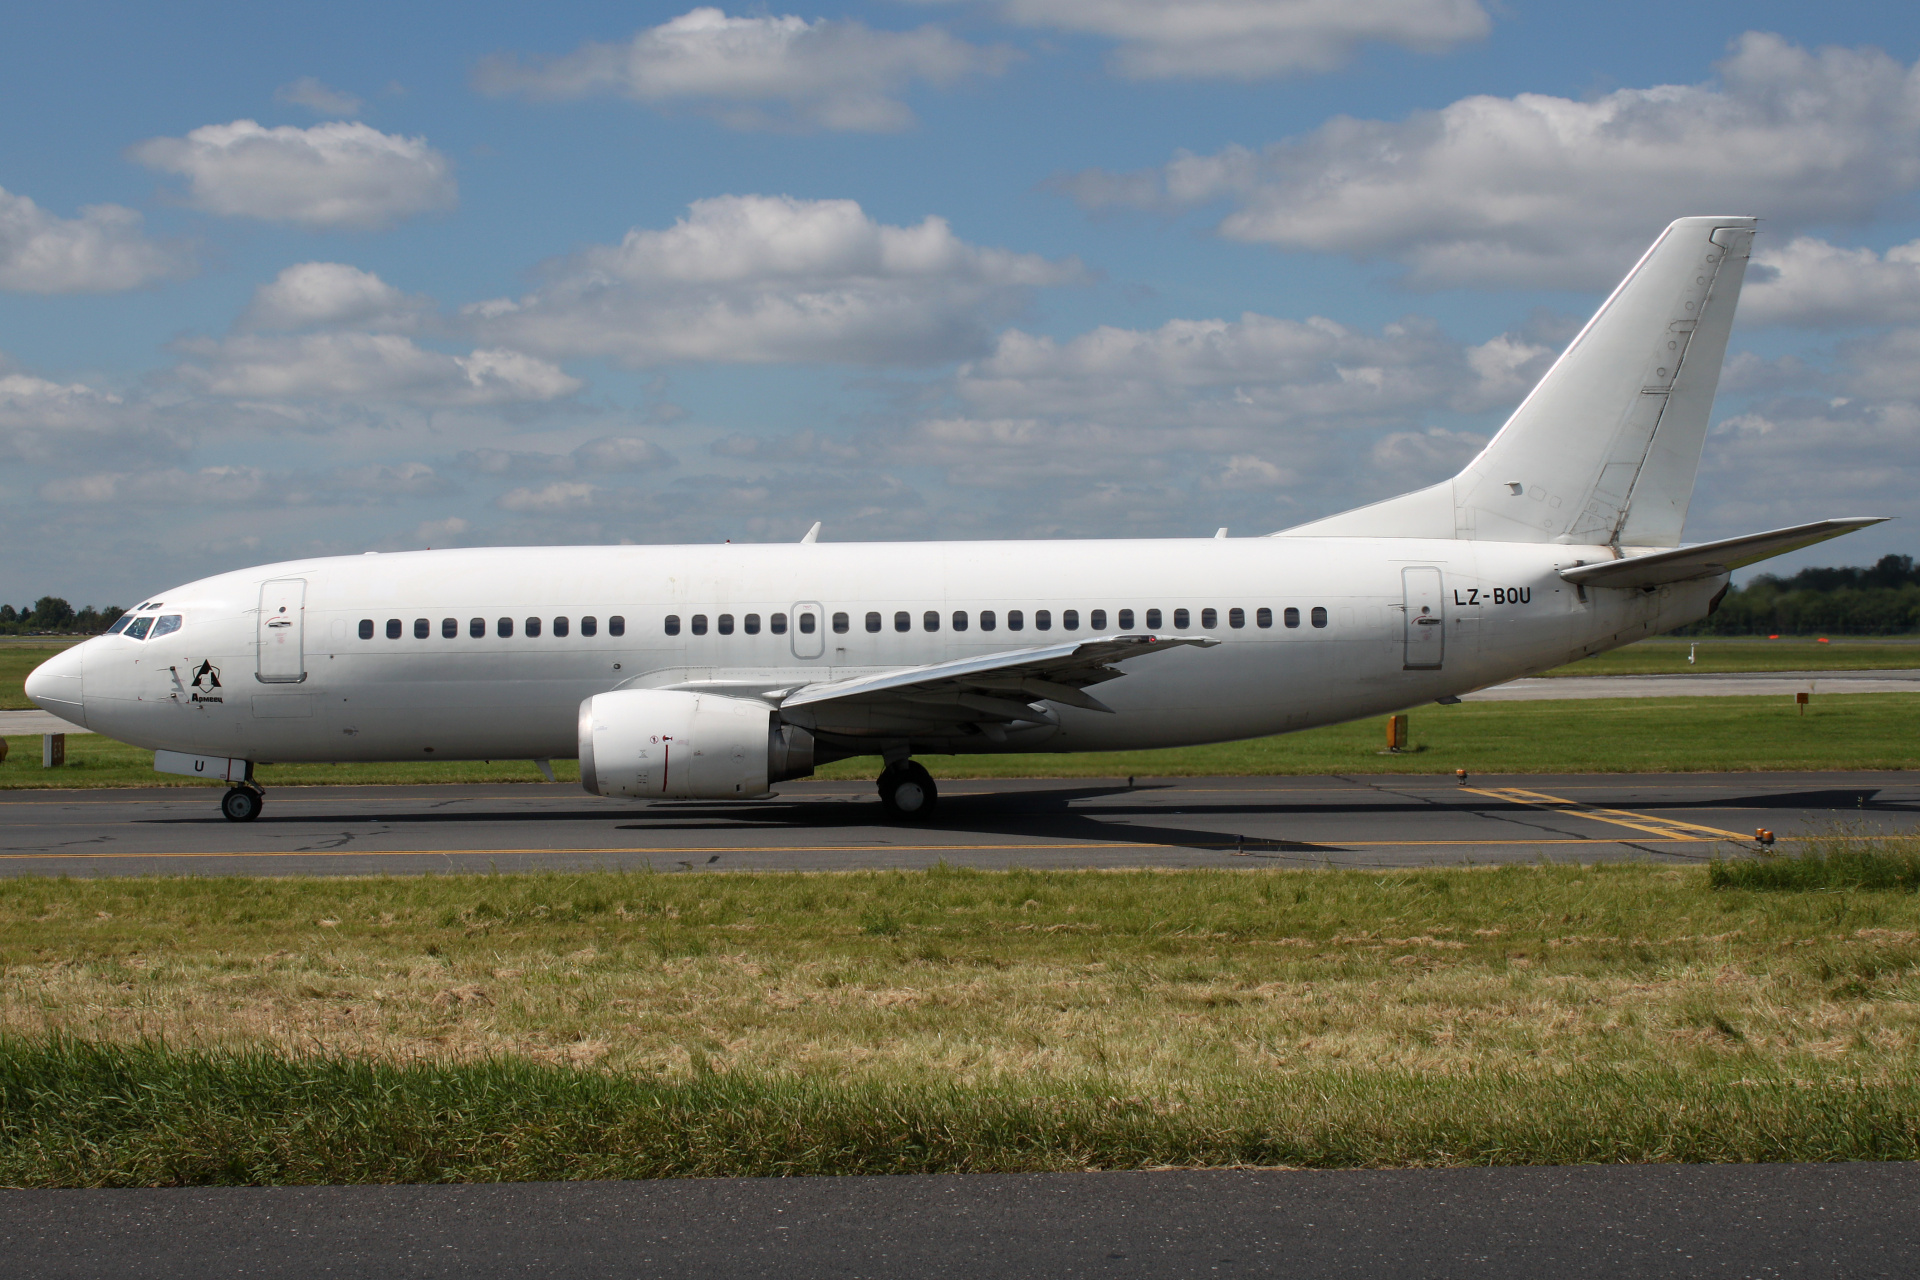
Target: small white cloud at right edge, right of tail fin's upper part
1813 283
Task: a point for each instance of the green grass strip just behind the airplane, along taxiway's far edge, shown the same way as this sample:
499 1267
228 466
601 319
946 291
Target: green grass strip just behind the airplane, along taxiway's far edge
1595 736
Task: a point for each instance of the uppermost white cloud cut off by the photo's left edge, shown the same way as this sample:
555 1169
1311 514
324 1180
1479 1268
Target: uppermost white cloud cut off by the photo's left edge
101 252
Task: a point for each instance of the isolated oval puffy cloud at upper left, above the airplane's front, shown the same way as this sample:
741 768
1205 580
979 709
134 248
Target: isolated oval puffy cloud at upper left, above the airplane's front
325 178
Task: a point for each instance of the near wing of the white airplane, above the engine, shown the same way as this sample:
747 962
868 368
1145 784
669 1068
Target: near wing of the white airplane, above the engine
990 692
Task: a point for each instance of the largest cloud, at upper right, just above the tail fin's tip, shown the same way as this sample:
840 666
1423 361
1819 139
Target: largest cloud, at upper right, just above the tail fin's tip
1537 191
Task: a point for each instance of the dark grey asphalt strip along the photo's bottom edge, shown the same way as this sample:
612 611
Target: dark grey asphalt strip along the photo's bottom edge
1435 1225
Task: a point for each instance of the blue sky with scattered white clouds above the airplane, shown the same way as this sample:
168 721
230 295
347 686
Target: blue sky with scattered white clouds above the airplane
360 277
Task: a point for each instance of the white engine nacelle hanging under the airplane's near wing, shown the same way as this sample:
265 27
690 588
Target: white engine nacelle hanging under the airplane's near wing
669 746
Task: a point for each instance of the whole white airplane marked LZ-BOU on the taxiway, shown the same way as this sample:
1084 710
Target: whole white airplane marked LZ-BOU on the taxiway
715 673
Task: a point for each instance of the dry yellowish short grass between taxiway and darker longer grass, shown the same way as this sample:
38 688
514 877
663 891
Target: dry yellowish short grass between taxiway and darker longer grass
1147 982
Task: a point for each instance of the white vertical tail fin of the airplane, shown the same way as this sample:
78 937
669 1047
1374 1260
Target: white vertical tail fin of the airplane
1606 448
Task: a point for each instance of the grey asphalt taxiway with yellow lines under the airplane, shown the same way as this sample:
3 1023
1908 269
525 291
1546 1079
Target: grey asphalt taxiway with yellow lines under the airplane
830 826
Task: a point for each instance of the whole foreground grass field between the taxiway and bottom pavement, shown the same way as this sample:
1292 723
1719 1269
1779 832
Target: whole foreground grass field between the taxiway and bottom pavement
166 1031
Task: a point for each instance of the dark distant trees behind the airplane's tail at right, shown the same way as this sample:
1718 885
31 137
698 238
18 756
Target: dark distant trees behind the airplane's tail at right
1883 600
